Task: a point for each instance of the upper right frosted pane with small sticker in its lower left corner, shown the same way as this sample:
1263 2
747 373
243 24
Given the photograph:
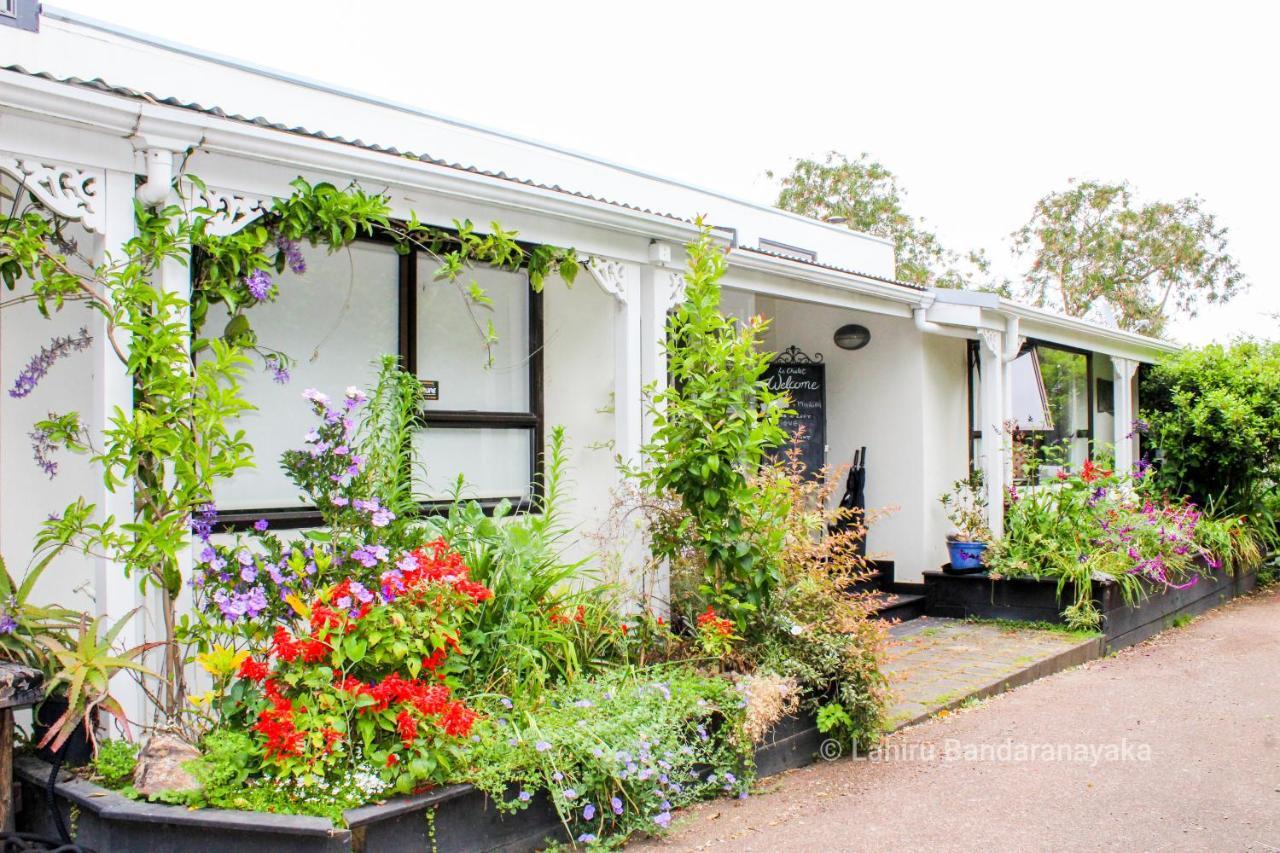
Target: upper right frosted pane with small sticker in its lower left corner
451 349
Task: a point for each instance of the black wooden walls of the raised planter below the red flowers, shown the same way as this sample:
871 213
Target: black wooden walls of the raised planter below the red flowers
455 819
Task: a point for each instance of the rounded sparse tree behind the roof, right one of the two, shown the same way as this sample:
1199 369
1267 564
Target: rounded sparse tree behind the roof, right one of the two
1094 243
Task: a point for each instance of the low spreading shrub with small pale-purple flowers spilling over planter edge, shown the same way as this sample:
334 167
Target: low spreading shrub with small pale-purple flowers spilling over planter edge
618 755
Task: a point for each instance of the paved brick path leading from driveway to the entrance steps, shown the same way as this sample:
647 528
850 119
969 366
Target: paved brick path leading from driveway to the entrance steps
940 664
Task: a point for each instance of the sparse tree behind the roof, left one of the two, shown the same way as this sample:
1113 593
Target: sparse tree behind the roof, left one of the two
865 197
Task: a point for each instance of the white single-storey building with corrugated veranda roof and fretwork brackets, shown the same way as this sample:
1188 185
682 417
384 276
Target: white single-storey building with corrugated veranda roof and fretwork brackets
89 112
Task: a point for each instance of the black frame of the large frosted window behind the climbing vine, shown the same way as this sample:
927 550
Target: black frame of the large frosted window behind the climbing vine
534 421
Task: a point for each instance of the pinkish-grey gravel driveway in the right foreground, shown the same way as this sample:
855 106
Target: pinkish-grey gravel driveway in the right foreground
1173 745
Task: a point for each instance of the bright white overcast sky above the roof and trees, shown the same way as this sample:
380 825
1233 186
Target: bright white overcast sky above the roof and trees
980 108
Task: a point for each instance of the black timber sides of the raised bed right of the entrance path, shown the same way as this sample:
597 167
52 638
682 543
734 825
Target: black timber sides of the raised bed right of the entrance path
1026 600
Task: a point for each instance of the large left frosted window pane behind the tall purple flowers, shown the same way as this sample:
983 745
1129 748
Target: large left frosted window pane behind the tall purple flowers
336 322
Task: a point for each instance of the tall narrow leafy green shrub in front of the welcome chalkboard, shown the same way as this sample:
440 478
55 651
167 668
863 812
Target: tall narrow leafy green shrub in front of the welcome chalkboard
714 426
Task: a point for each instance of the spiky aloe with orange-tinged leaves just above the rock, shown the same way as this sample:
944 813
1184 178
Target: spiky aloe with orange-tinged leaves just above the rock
88 664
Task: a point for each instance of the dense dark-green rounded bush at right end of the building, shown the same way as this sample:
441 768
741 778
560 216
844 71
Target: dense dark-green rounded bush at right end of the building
1214 414
